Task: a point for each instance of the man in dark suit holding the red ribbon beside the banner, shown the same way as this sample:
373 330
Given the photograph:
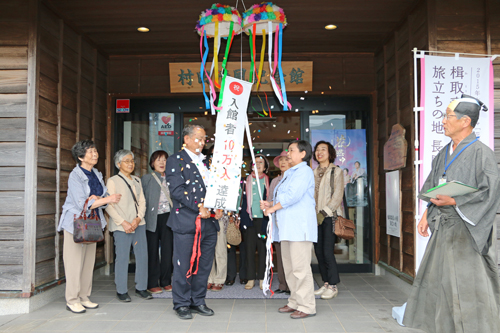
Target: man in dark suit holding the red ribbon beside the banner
186 174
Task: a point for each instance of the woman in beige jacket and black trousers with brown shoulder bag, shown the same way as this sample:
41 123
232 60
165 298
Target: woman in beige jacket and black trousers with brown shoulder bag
328 206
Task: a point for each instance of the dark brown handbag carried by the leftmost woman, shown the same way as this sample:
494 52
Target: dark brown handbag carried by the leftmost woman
87 229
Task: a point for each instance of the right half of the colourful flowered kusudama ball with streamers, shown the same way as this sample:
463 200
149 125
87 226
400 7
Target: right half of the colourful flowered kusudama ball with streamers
261 14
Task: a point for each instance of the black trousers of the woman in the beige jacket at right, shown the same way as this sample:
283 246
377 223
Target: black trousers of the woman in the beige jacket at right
324 252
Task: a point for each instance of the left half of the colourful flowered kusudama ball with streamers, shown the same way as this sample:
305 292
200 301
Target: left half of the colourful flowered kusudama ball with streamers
223 14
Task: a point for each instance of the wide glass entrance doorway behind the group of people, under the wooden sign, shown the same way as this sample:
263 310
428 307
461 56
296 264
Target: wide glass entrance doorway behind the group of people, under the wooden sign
343 121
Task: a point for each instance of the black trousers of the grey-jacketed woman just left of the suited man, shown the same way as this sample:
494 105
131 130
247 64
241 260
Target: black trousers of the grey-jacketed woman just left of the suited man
160 269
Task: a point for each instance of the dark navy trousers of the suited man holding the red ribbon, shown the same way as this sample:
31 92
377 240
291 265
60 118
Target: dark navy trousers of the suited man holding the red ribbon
192 291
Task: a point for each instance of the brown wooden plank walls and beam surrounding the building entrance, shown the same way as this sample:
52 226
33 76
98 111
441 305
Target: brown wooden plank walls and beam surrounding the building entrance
57 87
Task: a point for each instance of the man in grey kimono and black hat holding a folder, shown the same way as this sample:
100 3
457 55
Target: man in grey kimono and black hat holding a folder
457 288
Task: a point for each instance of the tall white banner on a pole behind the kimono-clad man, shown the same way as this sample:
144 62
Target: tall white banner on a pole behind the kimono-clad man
443 80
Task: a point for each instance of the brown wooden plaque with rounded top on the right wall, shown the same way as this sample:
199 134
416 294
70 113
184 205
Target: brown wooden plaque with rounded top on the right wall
395 149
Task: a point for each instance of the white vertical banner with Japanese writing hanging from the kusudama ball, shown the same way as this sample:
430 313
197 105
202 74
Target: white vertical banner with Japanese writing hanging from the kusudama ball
225 171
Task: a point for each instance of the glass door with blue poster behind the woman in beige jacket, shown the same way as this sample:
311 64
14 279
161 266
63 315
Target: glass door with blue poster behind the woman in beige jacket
347 132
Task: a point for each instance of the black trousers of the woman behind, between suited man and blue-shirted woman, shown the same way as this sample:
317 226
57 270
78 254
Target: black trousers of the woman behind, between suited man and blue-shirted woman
254 242
